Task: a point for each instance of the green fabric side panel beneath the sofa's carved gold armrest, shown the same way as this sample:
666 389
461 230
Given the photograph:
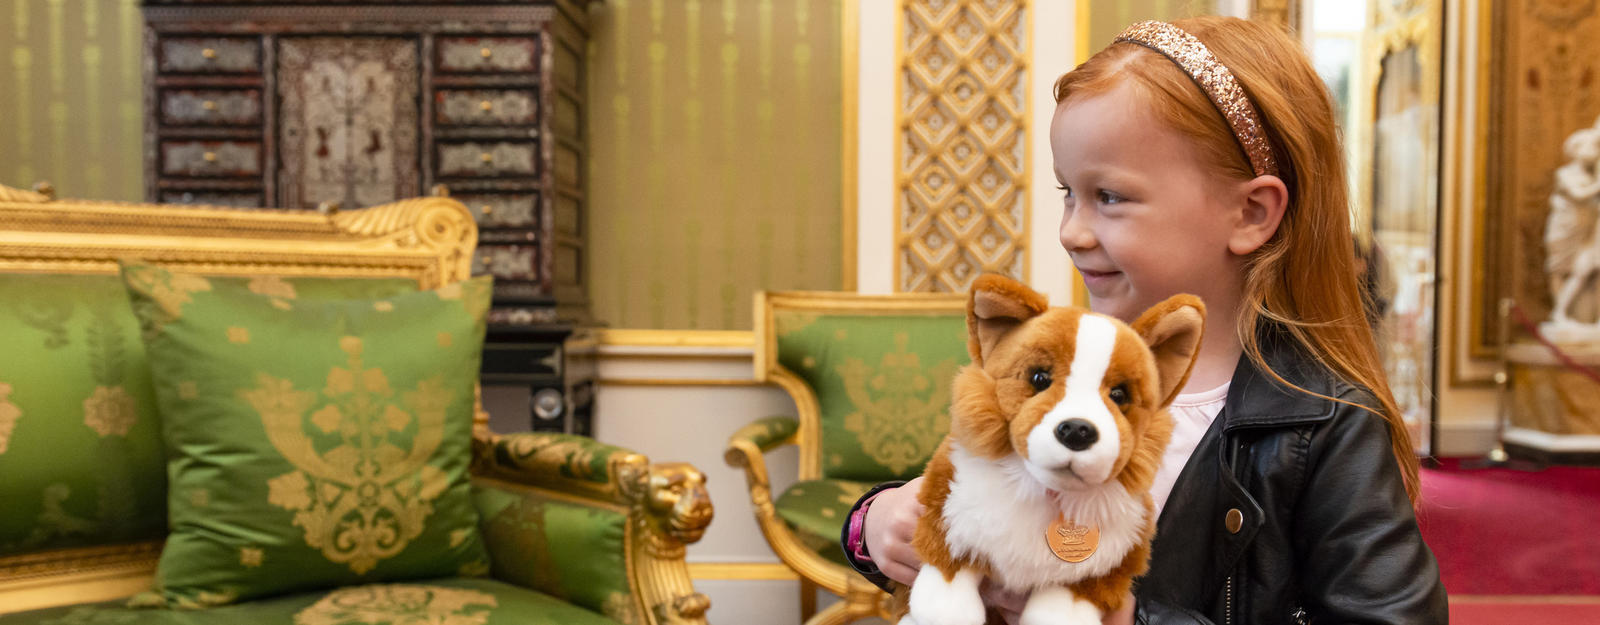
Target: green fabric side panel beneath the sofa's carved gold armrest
559 547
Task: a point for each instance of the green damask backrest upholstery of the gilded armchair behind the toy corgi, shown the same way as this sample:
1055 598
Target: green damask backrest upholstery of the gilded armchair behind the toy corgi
882 384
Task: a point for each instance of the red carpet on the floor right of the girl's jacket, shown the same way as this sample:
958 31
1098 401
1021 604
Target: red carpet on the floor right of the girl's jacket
1500 531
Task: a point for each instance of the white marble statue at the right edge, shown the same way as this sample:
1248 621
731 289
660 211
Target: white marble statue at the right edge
1572 242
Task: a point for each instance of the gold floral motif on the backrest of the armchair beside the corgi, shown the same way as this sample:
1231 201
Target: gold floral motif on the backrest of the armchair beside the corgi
902 407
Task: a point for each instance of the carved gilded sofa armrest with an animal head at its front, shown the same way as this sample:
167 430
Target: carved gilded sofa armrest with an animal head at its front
668 506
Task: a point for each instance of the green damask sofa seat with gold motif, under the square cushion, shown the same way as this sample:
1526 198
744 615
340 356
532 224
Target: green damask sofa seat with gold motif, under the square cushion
436 602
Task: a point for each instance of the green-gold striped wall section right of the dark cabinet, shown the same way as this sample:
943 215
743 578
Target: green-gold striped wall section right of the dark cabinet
716 138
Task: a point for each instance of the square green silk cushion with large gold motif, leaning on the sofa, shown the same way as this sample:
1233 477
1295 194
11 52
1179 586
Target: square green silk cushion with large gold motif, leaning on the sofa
311 444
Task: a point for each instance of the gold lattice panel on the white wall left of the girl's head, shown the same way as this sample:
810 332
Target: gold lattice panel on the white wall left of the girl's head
962 146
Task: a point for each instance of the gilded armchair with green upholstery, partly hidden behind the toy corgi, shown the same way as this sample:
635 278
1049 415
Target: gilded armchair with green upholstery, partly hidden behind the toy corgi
871 380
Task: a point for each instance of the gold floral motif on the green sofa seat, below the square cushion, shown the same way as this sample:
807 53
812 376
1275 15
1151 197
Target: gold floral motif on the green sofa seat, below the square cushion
399 605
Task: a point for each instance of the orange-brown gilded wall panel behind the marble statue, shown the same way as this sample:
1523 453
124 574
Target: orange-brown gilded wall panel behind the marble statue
1545 84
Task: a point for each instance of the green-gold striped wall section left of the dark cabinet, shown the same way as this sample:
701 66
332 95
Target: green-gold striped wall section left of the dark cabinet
73 89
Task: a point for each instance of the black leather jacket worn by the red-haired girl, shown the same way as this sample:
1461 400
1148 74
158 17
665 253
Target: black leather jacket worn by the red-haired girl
1324 531
